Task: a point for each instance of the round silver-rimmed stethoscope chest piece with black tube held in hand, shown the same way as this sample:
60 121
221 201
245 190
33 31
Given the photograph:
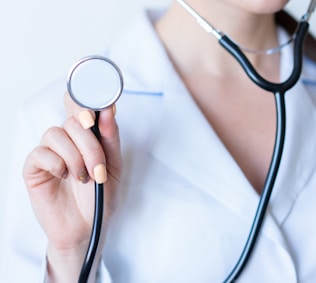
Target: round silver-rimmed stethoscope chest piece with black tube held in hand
95 83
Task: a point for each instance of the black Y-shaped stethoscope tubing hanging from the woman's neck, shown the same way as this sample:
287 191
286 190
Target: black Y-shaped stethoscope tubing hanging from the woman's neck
279 90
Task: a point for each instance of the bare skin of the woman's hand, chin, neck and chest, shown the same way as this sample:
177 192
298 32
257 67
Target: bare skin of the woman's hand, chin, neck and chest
61 190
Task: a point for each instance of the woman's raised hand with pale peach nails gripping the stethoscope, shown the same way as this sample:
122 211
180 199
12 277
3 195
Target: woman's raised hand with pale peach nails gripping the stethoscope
60 174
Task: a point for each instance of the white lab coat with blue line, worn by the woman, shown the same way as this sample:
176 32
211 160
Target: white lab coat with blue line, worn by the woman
185 206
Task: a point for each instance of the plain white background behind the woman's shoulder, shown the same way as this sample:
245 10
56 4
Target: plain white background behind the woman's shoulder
40 40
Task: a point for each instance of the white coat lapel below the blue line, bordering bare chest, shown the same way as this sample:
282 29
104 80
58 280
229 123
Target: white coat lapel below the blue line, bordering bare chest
185 142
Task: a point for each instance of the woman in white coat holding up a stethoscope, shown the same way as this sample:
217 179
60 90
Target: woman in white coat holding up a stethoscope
183 165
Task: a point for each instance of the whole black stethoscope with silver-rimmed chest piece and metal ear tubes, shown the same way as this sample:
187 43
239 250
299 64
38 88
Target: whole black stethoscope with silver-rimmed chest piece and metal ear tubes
96 82
